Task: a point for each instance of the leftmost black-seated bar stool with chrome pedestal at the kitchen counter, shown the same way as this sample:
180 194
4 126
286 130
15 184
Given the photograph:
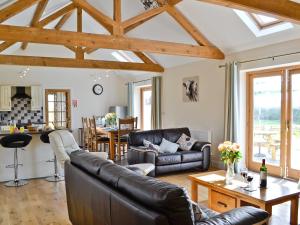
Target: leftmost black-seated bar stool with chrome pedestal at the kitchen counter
16 141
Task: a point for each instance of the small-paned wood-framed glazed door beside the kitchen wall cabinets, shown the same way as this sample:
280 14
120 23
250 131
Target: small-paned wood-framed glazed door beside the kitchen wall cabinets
58 113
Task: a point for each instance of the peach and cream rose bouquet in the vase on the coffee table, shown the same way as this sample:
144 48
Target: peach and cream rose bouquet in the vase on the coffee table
230 152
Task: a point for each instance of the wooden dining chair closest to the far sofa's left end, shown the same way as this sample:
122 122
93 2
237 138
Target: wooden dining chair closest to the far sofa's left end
125 127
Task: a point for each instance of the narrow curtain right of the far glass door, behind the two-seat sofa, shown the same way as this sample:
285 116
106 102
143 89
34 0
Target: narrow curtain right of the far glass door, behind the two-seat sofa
156 103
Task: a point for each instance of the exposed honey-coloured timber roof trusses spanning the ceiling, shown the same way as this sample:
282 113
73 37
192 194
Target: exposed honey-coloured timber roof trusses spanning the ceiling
84 43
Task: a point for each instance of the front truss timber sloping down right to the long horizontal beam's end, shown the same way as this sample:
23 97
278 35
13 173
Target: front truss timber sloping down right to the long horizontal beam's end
188 26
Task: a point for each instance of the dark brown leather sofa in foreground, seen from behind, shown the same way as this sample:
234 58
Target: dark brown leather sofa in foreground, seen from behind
102 193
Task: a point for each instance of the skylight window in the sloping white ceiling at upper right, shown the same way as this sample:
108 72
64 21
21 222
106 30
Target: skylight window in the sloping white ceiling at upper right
262 25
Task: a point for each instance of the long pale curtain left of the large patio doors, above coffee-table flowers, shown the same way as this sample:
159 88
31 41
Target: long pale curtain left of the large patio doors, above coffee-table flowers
232 93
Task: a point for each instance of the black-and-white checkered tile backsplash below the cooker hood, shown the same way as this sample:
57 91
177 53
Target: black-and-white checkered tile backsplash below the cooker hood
21 112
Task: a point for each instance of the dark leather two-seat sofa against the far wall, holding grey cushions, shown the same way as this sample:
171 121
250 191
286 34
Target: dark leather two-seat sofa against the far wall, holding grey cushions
197 158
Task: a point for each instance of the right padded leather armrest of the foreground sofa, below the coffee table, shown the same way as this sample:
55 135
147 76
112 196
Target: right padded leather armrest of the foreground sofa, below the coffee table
241 216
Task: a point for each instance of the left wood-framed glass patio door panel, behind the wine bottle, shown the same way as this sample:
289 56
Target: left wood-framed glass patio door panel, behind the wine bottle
266 115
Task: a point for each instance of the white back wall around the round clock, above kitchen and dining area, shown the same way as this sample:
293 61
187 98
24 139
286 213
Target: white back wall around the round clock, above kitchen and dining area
78 81
